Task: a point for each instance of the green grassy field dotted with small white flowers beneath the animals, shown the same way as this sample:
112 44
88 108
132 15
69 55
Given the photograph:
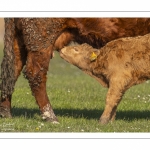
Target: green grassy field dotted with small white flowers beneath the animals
78 101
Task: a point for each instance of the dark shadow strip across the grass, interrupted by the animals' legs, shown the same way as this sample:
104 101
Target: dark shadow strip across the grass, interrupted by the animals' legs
83 113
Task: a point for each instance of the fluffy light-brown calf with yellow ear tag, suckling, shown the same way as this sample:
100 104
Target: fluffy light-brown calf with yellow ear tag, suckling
118 65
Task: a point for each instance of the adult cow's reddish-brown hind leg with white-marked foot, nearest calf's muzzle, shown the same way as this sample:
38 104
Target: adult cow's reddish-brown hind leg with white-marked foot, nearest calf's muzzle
36 71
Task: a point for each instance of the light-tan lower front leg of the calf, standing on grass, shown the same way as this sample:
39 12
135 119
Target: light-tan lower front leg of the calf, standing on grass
113 98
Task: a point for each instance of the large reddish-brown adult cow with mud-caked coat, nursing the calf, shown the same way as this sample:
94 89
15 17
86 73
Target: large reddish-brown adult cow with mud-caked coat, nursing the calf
30 42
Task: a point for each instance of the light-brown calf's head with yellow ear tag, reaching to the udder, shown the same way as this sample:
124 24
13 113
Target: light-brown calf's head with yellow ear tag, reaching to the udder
80 55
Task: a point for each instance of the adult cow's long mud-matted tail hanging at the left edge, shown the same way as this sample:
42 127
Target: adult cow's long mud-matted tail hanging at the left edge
8 62
